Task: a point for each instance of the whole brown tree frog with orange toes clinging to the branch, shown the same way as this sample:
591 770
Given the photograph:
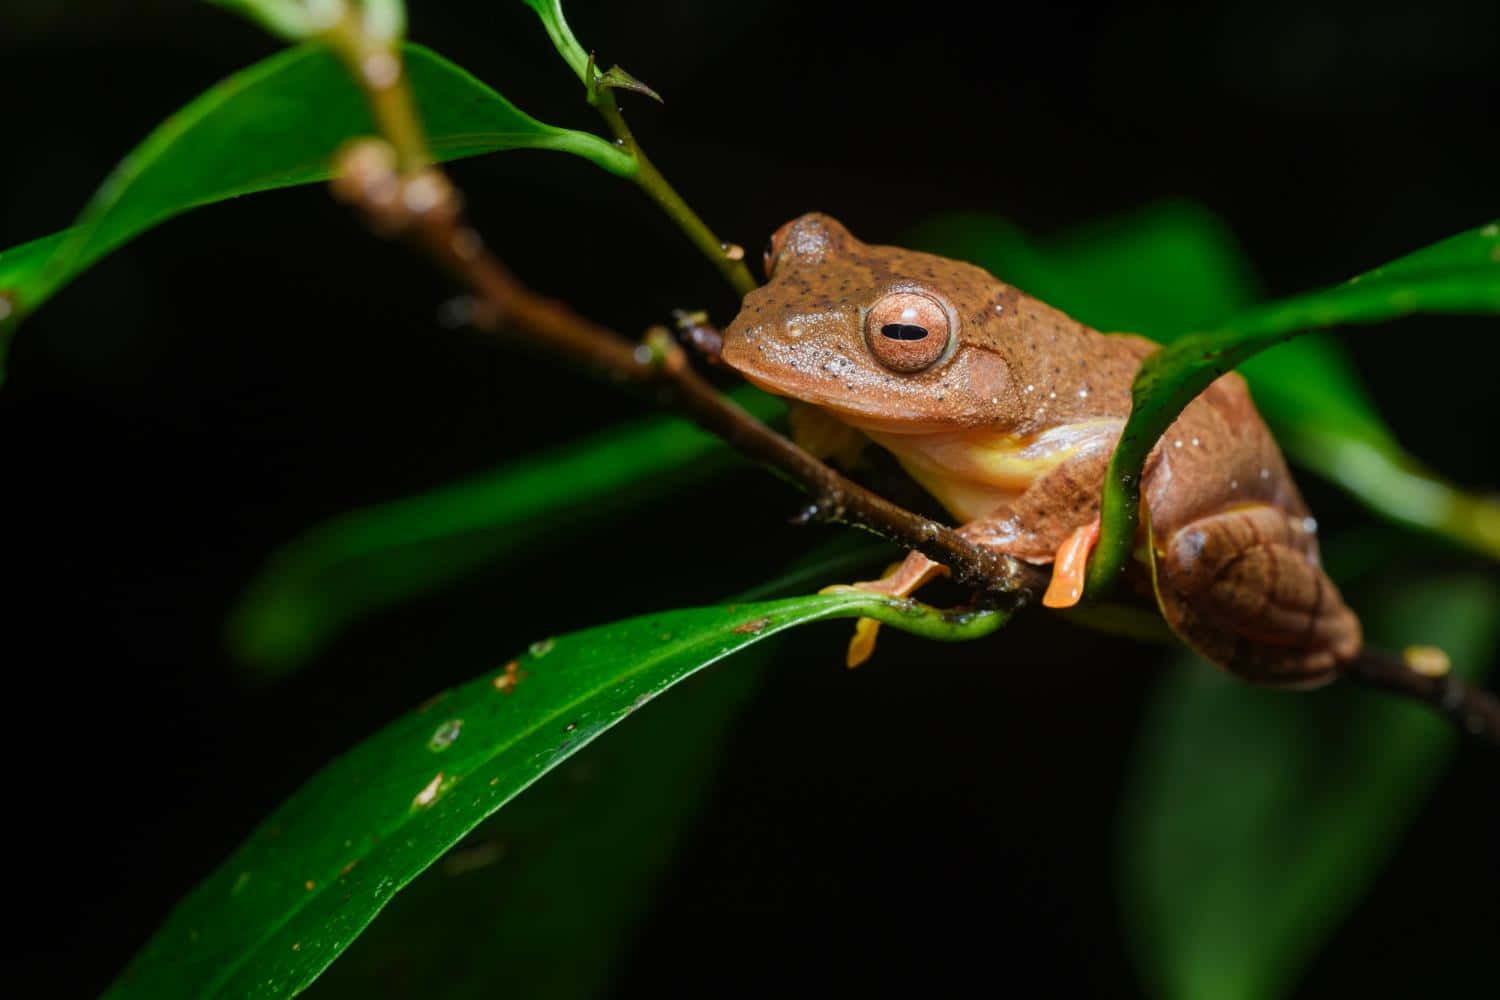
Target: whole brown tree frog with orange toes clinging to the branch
1006 412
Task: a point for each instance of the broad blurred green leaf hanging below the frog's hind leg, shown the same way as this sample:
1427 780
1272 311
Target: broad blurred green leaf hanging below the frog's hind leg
1255 819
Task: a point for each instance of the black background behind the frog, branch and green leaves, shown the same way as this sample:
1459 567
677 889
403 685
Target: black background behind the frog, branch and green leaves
251 368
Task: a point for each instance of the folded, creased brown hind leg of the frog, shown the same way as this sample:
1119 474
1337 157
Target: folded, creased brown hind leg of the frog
1246 590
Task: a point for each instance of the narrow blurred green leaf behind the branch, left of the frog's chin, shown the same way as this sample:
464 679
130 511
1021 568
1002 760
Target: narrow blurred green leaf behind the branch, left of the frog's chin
361 563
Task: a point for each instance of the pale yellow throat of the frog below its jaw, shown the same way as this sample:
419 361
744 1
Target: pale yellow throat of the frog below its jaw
973 473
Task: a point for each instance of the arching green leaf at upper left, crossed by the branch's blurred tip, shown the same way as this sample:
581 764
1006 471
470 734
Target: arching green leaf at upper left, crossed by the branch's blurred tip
274 125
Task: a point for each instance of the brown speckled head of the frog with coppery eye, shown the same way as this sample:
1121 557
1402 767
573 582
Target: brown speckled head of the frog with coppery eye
886 340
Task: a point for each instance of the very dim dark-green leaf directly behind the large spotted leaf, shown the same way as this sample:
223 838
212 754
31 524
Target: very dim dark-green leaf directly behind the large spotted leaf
550 888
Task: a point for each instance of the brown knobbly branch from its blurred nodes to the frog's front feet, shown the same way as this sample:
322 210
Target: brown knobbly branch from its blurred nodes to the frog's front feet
425 209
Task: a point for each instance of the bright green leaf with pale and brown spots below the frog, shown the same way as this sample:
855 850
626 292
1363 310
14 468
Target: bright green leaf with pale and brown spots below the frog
319 870
